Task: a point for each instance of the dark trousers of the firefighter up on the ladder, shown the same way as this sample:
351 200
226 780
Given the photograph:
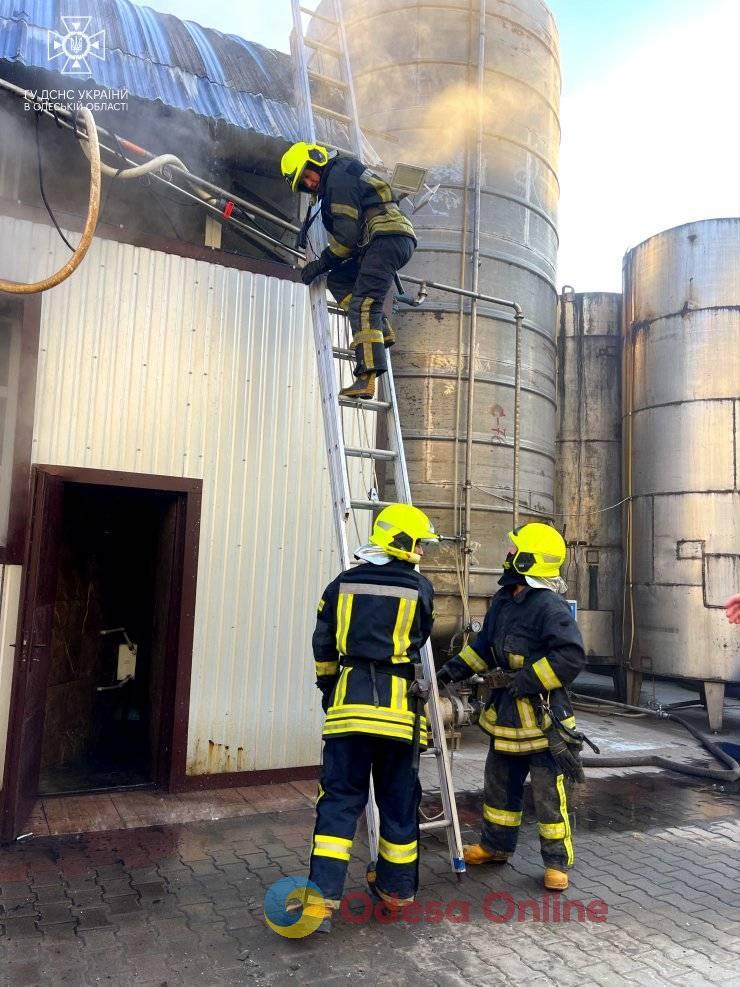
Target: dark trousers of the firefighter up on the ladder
360 286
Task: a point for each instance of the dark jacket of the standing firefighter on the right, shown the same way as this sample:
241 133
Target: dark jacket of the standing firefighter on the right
536 633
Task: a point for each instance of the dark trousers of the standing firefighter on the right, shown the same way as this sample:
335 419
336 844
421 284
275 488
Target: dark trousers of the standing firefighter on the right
504 798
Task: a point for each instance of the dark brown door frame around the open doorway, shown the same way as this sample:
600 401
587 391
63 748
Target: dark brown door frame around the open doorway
172 753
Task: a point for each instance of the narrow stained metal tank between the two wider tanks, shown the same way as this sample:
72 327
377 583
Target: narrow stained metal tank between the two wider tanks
589 480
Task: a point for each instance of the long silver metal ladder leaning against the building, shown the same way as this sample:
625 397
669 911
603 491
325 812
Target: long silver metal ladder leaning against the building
344 416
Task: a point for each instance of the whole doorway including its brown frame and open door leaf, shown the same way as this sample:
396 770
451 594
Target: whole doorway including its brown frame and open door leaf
101 683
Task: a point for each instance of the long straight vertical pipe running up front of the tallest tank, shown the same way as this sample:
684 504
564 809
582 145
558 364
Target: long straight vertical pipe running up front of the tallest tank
475 260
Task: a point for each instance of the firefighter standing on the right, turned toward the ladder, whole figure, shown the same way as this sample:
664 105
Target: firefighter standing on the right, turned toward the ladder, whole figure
531 642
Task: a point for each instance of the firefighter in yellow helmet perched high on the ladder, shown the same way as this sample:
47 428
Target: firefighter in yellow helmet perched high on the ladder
369 240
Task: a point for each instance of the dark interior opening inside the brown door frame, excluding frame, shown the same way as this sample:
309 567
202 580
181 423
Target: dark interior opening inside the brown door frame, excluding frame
108 646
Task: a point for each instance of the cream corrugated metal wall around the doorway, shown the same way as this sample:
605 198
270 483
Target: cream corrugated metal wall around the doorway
153 363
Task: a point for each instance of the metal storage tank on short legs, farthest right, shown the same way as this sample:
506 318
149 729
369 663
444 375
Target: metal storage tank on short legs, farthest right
681 391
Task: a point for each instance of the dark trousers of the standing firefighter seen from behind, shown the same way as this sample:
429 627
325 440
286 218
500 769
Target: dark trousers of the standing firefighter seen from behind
348 764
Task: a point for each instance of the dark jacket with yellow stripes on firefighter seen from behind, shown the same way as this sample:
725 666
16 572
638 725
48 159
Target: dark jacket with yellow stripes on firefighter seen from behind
371 624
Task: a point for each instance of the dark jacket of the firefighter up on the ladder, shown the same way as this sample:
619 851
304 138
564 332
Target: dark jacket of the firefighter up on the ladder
356 206
